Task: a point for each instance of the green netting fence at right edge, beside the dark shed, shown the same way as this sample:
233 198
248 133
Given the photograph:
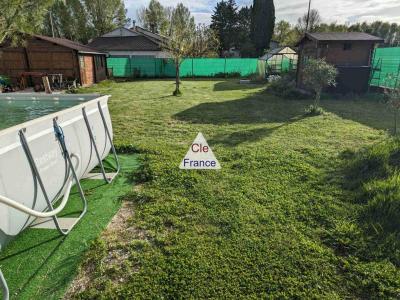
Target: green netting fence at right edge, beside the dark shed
386 67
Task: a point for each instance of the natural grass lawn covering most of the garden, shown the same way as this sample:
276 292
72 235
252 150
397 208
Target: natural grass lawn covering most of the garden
276 221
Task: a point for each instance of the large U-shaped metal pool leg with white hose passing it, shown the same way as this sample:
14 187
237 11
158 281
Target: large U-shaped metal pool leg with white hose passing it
37 177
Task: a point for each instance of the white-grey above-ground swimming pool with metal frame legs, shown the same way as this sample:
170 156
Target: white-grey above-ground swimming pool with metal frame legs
47 144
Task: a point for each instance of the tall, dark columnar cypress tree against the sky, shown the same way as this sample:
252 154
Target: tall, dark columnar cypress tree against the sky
263 23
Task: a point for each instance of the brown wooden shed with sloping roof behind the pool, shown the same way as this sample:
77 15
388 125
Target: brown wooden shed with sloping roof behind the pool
43 54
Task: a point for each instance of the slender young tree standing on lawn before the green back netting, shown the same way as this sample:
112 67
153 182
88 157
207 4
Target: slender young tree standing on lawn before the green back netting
181 39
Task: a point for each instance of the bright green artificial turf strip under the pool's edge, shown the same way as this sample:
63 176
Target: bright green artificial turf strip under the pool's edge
40 264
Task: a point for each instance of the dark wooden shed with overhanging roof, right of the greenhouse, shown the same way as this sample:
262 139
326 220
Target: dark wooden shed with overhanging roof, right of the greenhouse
350 52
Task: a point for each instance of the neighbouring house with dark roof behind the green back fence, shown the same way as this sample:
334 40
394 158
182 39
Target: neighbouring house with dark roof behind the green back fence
136 41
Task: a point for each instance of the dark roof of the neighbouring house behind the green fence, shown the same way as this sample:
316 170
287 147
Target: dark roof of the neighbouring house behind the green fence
126 43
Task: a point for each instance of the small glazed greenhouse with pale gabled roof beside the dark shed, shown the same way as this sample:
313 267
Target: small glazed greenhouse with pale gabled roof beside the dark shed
281 59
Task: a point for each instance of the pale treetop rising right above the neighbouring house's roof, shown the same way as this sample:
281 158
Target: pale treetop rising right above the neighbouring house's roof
155 17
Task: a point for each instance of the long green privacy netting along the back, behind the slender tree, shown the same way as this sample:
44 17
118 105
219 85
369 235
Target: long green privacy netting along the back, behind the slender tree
148 67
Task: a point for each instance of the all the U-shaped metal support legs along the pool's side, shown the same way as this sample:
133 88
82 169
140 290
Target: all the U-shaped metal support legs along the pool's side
60 136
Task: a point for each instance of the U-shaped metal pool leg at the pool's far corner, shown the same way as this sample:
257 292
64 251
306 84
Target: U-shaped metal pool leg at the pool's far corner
106 178
